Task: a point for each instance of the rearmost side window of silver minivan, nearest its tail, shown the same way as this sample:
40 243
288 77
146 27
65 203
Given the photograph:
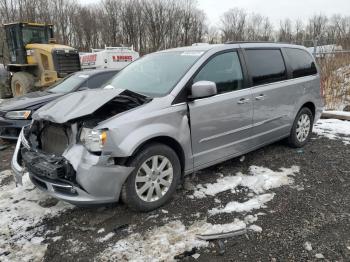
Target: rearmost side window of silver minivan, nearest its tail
301 62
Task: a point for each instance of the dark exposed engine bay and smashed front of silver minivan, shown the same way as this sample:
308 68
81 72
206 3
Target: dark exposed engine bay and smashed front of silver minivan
45 142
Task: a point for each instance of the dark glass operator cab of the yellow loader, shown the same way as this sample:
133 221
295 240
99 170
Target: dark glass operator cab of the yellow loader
18 35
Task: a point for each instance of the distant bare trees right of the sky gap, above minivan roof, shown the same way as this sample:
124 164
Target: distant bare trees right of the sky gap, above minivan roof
237 24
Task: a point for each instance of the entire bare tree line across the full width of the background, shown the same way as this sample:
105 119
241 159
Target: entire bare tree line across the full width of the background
151 25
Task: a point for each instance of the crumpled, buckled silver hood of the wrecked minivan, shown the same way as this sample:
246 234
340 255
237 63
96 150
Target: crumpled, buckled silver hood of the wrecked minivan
75 105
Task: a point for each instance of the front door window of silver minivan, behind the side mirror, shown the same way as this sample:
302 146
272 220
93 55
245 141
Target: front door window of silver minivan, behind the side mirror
225 70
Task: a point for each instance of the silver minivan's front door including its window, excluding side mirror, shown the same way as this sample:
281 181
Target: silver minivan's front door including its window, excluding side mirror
221 124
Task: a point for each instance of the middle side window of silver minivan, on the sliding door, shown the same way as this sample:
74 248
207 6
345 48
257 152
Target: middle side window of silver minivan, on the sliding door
266 65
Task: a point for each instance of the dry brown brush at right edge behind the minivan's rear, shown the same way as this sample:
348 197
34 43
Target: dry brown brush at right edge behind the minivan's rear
335 77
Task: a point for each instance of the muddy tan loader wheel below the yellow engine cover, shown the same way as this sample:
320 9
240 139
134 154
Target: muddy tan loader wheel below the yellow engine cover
22 83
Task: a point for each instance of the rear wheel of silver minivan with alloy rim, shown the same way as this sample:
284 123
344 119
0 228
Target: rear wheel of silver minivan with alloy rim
302 128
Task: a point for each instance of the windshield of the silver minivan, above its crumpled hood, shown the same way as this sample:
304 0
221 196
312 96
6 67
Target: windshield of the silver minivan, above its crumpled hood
155 75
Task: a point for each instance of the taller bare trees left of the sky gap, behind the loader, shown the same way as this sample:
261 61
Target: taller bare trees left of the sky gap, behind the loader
147 25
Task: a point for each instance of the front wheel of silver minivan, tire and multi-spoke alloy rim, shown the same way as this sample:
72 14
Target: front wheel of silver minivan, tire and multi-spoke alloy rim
132 192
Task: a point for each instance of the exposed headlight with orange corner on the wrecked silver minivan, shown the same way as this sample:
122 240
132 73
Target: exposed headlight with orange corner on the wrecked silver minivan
93 139
